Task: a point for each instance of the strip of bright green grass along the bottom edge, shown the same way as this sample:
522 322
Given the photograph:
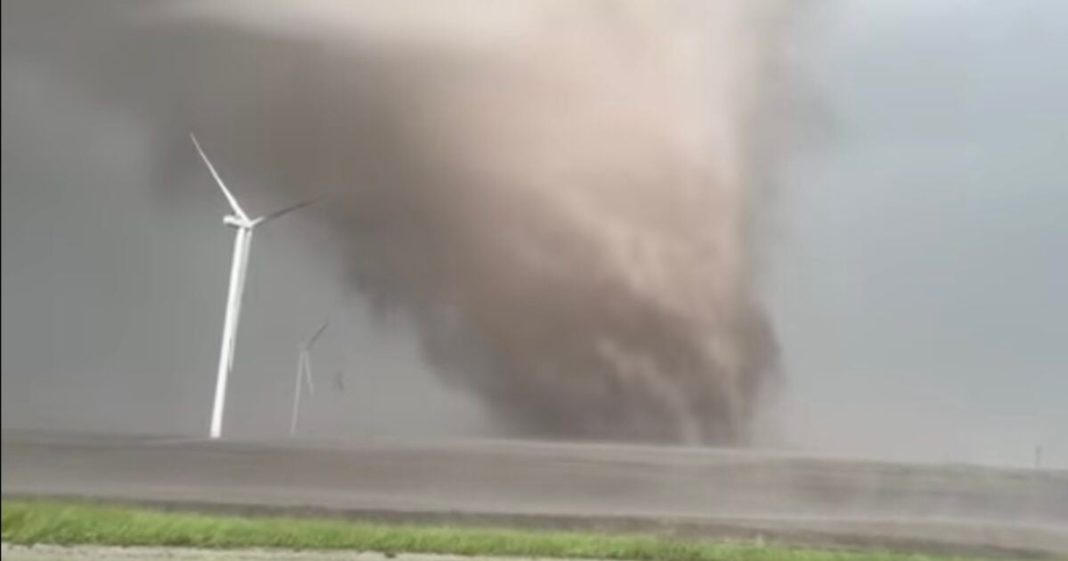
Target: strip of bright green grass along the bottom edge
75 523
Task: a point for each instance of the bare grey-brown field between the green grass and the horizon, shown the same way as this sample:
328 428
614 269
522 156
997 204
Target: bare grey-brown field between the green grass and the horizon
667 491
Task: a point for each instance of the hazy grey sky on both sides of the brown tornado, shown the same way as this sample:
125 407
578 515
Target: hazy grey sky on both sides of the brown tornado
918 260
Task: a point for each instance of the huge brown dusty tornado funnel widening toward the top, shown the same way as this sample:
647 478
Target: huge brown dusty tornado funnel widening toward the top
564 197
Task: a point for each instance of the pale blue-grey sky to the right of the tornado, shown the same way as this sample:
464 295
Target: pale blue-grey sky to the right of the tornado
922 280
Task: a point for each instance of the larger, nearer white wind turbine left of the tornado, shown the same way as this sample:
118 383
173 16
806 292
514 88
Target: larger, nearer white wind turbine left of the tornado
244 226
